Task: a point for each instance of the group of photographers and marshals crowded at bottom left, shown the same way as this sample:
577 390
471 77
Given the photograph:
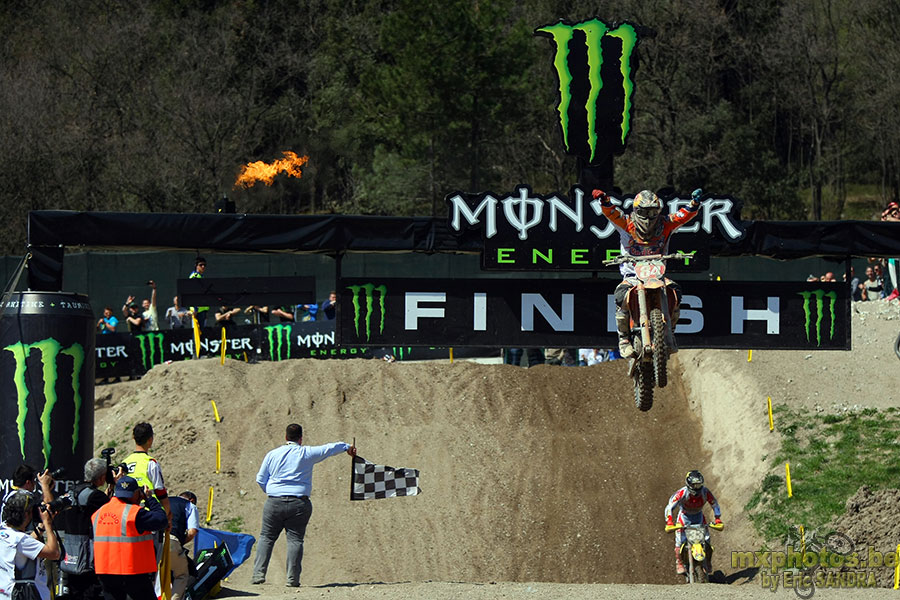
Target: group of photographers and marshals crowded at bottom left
91 543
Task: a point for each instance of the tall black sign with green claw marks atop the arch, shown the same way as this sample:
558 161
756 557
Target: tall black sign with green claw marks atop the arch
594 64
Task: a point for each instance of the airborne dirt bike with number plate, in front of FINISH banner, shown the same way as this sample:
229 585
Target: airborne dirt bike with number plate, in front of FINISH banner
651 304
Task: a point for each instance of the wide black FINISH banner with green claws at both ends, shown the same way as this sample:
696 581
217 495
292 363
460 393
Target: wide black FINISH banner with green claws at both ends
581 313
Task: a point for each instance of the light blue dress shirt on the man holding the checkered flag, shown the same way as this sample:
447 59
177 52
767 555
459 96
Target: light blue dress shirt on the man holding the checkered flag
287 470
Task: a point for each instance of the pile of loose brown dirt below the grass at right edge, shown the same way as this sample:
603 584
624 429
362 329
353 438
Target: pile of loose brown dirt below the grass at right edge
871 523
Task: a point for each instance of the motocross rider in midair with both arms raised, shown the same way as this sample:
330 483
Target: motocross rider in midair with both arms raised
645 231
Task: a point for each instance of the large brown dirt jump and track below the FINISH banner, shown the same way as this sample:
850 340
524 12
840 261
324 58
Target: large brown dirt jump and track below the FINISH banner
547 474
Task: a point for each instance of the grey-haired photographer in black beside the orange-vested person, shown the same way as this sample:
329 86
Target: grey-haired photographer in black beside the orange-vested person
74 524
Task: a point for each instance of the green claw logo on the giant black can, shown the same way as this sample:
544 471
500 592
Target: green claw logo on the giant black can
50 349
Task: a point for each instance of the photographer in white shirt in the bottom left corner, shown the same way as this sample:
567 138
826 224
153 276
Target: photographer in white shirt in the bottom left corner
20 554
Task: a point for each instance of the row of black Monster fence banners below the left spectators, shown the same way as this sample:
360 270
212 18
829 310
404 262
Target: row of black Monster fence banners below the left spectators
132 355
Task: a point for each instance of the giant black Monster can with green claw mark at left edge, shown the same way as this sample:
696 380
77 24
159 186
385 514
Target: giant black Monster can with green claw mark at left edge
47 367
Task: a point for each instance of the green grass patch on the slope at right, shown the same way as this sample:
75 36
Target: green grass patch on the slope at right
830 457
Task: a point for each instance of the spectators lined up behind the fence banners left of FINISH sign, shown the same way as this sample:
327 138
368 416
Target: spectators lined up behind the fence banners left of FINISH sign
143 317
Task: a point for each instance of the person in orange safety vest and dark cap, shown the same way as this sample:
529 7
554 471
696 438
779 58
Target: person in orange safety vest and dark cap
124 559
